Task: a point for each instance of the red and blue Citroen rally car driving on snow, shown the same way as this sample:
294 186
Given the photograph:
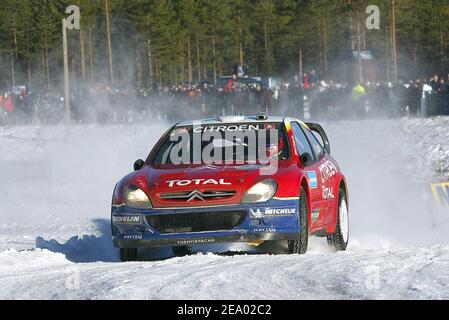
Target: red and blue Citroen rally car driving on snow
233 179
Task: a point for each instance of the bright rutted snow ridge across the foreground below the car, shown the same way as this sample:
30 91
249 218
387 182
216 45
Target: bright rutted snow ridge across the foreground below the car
379 274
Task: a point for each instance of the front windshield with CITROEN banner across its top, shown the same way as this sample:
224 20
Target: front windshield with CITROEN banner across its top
257 143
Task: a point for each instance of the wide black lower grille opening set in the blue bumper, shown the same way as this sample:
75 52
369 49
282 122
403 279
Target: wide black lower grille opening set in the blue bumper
197 222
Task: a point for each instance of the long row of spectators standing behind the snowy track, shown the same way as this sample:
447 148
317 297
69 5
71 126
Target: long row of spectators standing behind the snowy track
307 97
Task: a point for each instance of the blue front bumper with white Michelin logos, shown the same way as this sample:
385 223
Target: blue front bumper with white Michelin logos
273 220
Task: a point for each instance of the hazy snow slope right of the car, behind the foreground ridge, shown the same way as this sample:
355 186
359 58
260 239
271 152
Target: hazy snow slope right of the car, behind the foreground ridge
391 204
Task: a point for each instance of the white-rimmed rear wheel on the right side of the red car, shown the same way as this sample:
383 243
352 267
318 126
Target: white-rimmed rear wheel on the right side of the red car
340 238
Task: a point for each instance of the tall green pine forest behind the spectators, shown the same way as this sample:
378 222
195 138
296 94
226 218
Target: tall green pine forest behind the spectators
168 41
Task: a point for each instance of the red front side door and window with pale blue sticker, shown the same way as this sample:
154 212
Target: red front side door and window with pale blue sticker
313 176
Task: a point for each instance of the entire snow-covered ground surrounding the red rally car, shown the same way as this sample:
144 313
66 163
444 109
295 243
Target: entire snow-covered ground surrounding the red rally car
55 191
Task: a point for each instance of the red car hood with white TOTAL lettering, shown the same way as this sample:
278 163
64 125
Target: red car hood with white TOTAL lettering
172 186
